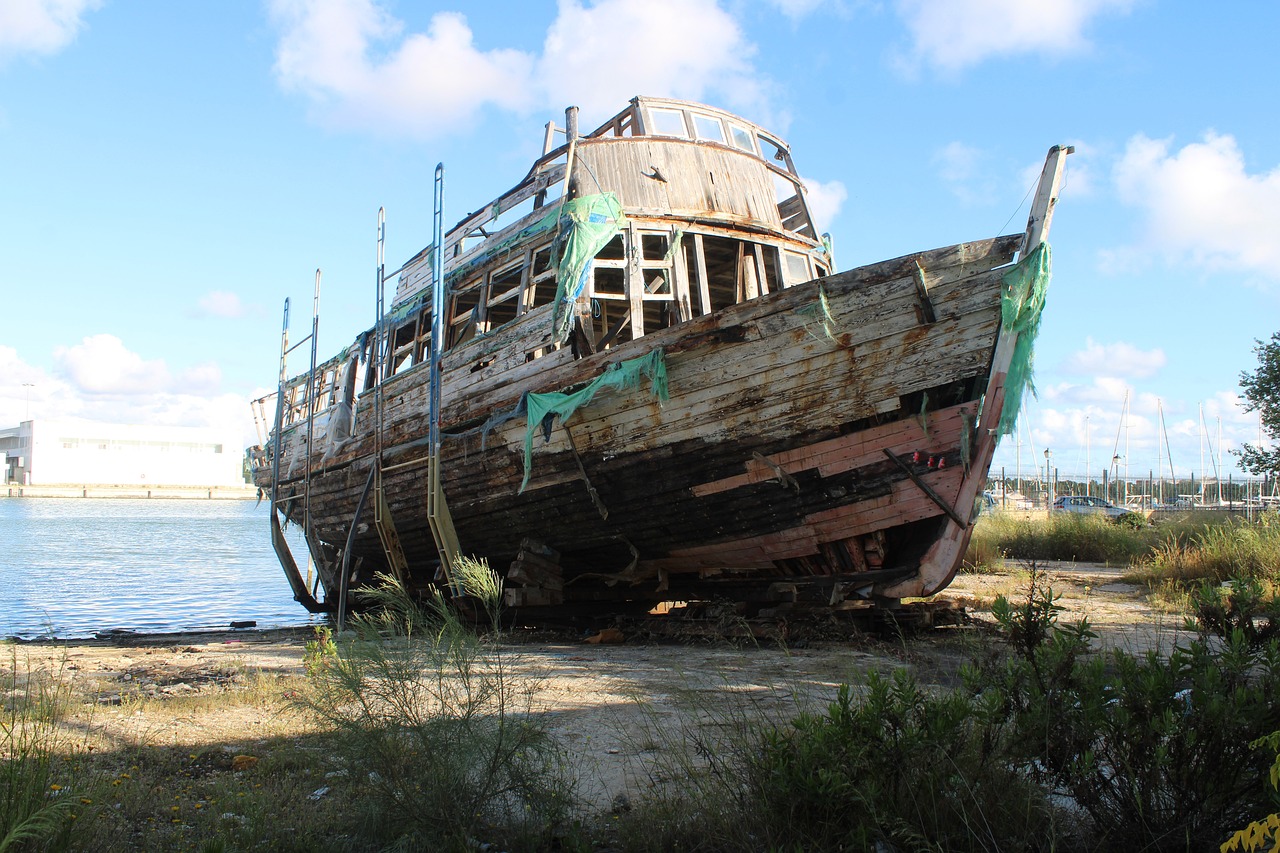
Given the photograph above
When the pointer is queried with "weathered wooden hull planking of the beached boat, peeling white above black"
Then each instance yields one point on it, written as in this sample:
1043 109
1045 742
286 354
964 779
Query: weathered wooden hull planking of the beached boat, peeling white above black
771 445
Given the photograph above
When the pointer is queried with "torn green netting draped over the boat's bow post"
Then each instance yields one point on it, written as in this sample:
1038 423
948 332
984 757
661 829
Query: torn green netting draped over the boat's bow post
1022 302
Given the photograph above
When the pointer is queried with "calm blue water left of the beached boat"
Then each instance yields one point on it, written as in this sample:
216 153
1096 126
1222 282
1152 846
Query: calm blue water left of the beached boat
75 567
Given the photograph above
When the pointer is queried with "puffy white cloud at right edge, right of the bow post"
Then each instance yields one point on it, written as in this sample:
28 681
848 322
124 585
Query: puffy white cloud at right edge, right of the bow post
1201 206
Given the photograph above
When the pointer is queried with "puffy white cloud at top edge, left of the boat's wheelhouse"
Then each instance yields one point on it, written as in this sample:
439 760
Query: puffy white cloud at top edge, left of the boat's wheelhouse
422 84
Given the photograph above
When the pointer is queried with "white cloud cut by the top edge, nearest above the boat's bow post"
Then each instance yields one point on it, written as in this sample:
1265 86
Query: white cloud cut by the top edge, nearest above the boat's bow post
957 34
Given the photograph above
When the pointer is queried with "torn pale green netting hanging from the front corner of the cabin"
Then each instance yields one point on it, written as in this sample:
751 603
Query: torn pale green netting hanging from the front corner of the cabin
587 226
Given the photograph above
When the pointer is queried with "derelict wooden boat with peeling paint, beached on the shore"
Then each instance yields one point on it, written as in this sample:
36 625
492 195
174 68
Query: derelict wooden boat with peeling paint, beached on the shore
636 377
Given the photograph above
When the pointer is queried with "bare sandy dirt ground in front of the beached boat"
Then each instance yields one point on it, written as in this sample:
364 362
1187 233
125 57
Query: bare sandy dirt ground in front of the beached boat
621 709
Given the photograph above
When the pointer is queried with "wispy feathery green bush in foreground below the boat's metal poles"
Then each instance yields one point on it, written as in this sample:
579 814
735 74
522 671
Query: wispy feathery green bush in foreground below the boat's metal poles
441 741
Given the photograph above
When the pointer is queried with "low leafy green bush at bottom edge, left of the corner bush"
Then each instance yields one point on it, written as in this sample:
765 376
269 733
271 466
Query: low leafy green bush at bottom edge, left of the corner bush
898 765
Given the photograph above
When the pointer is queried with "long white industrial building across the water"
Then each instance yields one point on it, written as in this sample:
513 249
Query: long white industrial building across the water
80 453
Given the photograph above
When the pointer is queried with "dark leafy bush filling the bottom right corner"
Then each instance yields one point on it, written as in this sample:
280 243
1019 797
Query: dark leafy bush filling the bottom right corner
1153 749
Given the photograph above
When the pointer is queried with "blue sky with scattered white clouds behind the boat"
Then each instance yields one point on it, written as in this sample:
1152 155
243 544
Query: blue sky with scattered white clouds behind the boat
171 172
